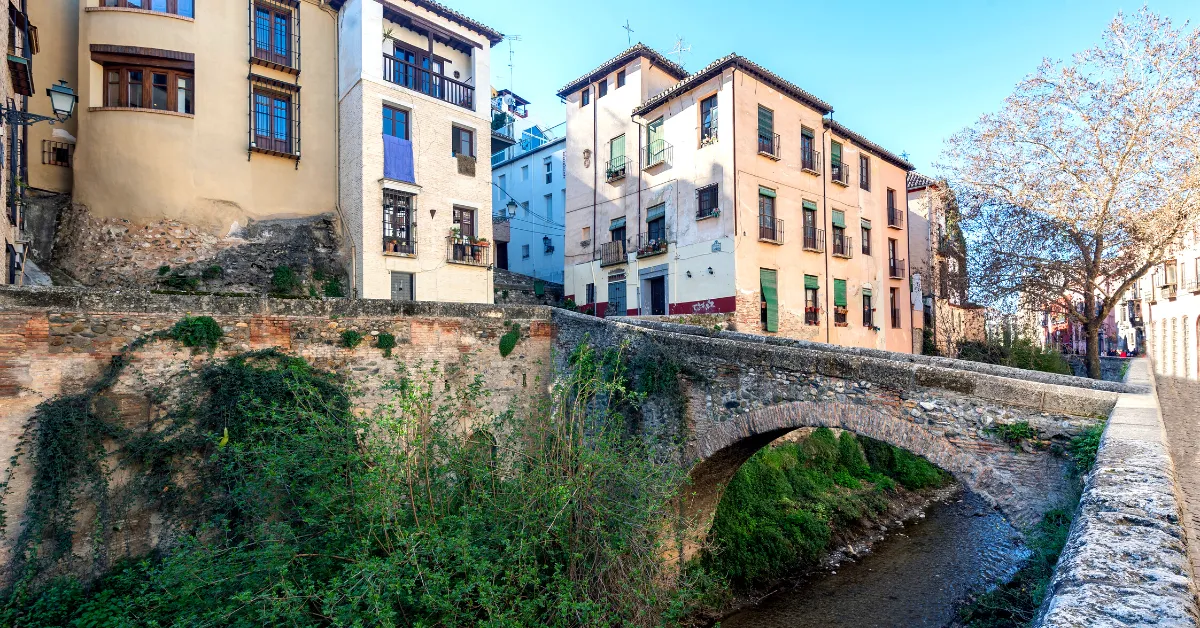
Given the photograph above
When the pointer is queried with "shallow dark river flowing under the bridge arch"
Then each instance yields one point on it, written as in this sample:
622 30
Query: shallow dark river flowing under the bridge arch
916 577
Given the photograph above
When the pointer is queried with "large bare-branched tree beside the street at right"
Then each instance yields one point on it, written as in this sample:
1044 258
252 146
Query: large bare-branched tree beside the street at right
1089 175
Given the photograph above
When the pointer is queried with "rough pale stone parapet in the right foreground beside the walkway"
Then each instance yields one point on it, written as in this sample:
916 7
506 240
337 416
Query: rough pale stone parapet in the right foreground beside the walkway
1126 561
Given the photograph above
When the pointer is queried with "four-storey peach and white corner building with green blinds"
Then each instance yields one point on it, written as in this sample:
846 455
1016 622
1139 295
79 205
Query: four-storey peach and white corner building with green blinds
734 193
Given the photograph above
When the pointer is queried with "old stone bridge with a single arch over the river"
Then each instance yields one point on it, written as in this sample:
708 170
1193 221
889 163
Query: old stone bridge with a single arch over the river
743 392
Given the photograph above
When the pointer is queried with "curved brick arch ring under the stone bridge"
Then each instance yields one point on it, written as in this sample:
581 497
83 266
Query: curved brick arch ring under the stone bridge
723 450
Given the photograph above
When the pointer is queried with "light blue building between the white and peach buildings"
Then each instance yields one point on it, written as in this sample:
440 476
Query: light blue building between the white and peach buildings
529 204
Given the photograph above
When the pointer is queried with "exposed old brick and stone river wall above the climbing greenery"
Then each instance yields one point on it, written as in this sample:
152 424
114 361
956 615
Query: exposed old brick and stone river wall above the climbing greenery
58 342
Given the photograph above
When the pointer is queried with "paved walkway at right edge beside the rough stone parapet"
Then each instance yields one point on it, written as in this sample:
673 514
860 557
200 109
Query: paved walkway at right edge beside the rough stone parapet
1180 400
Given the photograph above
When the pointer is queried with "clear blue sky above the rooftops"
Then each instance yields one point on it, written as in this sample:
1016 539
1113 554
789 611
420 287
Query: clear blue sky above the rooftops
907 75
